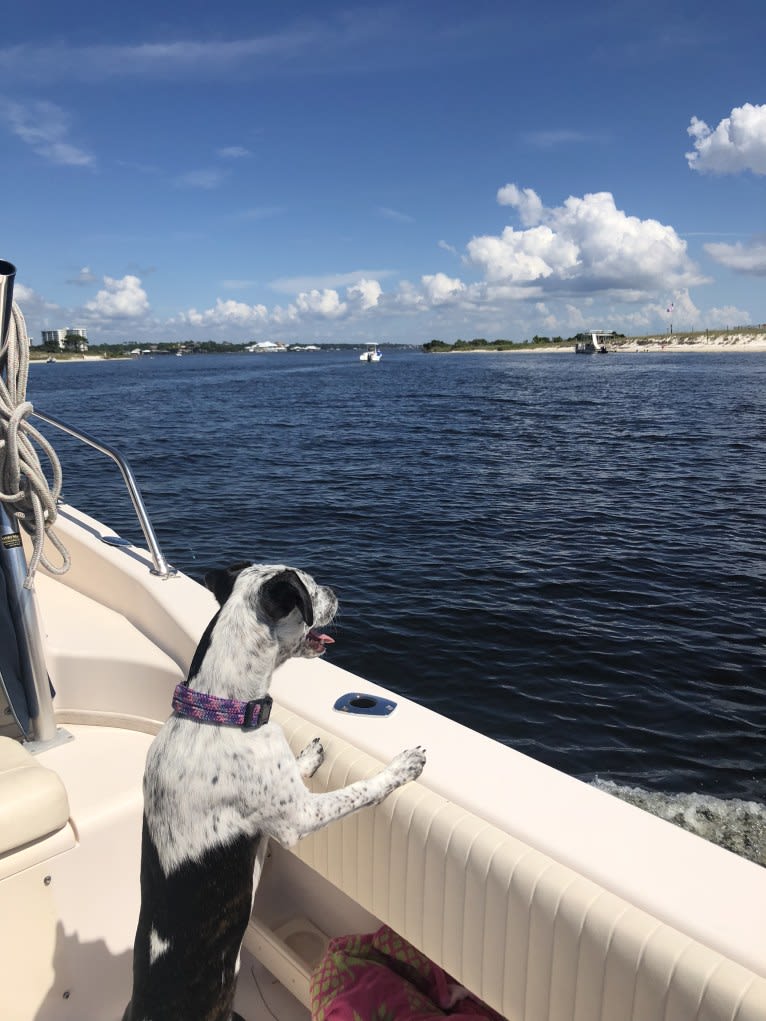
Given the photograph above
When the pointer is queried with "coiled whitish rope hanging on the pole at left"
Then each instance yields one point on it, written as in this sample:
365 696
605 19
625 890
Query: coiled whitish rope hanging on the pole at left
24 488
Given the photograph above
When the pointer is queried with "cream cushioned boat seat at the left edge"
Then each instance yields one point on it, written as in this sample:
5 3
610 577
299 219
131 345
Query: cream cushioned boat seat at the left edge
33 799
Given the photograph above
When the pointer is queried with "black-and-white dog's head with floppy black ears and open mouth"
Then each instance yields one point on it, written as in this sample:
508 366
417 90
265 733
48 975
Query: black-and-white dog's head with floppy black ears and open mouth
290 603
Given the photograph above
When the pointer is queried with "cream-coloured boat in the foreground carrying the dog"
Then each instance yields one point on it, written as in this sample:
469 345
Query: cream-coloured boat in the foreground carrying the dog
543 897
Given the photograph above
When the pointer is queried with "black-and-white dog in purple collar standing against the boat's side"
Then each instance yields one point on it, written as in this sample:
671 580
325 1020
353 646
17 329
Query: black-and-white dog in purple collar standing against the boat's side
221 781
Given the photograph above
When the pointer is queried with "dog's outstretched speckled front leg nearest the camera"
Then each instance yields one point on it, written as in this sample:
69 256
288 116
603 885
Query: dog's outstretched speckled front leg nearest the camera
312 812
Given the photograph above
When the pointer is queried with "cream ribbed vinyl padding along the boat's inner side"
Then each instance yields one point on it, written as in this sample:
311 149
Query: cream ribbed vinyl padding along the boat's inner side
532 938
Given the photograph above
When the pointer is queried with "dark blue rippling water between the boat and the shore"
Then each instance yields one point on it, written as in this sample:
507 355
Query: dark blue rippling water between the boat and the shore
566 554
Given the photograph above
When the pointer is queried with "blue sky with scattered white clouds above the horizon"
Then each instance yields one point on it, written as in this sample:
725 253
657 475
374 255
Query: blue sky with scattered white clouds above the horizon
390 172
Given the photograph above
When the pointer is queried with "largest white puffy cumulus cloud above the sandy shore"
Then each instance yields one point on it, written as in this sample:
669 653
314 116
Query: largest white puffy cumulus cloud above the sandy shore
586 246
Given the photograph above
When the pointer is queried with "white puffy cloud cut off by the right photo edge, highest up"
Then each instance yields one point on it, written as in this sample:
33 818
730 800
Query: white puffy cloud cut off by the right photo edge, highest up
739 143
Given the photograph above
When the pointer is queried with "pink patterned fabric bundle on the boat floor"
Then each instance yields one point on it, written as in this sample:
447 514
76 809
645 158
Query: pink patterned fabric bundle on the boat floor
382 978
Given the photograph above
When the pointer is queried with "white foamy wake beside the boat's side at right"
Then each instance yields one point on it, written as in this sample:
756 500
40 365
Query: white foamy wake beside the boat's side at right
737 825
